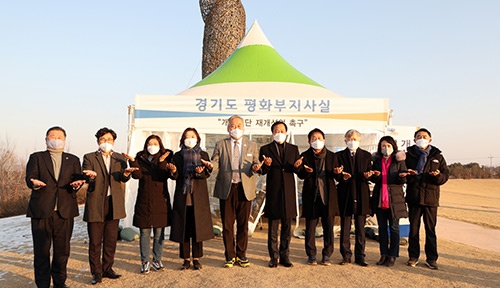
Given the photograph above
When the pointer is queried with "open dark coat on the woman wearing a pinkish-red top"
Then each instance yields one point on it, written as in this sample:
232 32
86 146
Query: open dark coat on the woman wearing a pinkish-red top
395 186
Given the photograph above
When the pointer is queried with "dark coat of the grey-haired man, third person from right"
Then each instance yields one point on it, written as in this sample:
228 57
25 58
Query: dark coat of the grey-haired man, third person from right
356 184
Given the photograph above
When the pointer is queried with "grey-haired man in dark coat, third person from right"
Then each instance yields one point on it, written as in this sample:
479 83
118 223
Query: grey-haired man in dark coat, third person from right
354 196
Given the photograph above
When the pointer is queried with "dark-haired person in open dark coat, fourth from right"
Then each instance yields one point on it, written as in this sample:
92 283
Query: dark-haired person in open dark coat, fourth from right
319 194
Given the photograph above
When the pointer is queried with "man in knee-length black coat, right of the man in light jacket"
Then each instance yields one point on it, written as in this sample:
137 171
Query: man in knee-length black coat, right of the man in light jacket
279 162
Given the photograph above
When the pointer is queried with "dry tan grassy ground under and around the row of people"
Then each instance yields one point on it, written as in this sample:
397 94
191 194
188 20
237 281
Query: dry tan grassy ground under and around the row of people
460 265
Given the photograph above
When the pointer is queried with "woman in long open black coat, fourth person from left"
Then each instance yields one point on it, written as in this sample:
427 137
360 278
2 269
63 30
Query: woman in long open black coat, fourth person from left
191 218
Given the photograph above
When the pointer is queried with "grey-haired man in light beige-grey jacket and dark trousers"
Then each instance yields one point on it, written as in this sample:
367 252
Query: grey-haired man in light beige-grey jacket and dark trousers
237 160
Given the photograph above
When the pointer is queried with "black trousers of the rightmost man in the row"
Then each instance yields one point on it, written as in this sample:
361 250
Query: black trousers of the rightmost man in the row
429 214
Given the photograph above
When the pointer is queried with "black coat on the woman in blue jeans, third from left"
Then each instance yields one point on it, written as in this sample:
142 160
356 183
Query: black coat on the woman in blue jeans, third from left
152 206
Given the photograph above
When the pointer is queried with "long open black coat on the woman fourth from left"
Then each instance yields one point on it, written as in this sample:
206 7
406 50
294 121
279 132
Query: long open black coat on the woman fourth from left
201 204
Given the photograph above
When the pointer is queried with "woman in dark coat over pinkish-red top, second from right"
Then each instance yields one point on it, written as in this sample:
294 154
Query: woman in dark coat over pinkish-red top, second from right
388 197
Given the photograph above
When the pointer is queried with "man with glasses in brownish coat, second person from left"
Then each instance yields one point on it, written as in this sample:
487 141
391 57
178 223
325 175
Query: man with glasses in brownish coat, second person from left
105 203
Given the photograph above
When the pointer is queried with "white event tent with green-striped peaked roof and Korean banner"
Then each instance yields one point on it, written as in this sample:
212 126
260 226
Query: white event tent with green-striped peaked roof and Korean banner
259 85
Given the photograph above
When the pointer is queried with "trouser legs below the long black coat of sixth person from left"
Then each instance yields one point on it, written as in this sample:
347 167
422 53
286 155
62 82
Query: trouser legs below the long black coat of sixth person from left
285 236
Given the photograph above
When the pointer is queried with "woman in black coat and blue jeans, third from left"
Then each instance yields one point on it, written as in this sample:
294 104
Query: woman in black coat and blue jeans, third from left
152 205
